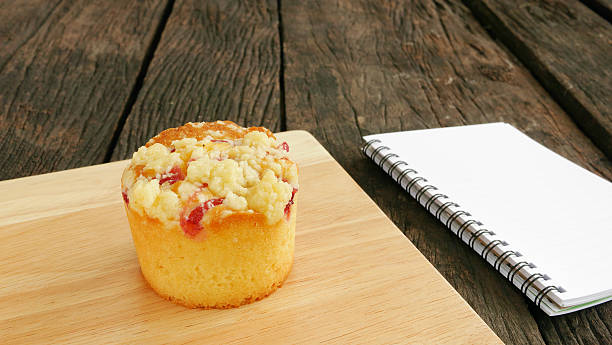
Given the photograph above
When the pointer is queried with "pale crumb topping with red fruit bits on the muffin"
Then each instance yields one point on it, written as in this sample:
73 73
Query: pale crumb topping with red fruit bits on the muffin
183 172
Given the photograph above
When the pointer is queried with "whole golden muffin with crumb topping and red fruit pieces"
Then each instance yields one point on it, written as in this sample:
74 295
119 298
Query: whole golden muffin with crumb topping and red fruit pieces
212 209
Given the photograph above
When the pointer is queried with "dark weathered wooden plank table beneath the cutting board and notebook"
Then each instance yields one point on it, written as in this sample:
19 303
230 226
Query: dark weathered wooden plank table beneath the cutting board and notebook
85 82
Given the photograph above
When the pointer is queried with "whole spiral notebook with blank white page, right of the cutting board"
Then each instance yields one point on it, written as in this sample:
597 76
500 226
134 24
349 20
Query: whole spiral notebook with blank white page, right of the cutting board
542 221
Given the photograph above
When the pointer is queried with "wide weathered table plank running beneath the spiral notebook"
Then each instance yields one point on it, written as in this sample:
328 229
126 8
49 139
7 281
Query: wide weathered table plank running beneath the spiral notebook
357 68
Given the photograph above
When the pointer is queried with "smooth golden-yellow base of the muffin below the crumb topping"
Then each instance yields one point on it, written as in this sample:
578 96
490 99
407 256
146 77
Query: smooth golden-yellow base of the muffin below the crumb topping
234 261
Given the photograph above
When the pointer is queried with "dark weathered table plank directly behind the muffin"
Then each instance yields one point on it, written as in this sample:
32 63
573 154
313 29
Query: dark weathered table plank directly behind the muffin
216 60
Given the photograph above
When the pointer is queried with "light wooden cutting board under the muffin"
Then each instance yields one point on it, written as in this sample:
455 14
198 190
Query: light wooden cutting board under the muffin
69 271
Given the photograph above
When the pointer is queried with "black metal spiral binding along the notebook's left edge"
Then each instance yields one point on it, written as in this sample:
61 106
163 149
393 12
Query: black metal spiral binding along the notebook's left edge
459 215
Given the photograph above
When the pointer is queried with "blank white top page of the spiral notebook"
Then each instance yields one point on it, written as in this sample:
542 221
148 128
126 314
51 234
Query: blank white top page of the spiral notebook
557 214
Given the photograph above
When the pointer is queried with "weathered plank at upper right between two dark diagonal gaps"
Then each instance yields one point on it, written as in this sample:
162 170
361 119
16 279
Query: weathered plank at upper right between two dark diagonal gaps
568 48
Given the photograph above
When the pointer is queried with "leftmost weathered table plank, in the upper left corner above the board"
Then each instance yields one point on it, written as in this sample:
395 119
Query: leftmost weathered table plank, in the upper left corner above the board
66 71
